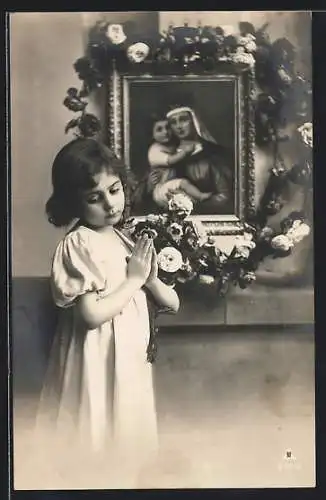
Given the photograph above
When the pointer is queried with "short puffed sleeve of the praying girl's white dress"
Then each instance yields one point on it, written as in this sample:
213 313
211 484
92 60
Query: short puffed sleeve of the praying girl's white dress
75 270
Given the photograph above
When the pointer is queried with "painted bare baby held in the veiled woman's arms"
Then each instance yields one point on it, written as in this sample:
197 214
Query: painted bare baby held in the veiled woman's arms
162 155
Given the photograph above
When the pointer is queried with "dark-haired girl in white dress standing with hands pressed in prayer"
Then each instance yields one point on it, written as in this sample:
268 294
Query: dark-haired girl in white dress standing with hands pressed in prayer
98 392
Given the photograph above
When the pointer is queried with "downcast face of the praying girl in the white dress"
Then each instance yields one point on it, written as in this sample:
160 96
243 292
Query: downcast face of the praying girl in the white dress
103 205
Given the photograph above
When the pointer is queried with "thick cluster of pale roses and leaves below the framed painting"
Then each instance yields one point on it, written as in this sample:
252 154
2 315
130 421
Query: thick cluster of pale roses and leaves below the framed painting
186 254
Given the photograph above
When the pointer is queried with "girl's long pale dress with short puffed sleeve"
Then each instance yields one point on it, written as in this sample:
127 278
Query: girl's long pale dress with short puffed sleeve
98 394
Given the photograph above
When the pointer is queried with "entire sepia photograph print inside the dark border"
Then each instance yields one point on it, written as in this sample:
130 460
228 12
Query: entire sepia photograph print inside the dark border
162 289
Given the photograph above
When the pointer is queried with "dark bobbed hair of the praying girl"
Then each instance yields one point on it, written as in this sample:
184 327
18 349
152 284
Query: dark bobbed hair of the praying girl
74 169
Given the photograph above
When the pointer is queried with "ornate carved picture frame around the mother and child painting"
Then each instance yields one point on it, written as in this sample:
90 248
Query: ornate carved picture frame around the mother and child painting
243 78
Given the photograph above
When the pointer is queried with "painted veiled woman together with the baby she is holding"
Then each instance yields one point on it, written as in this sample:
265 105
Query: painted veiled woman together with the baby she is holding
183 156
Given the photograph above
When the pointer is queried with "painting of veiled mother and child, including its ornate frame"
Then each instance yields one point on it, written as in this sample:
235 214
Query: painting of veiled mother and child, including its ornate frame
192 134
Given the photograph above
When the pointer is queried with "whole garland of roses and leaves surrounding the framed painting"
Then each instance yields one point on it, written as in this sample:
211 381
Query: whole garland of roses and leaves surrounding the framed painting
185 253
